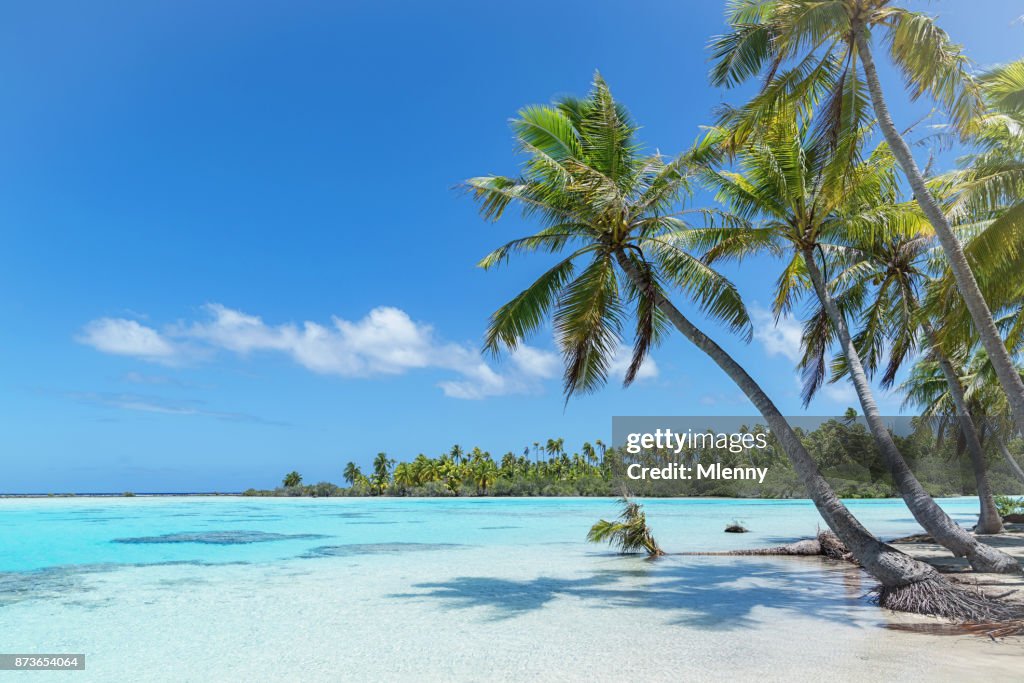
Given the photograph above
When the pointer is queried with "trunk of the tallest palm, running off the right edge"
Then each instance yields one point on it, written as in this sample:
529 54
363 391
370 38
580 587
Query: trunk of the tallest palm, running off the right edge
976 306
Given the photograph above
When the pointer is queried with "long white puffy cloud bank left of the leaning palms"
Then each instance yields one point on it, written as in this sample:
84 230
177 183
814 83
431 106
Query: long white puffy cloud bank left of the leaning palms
387 341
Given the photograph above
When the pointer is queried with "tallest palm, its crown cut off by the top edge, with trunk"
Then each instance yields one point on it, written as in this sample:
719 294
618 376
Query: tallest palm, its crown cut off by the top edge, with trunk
814 52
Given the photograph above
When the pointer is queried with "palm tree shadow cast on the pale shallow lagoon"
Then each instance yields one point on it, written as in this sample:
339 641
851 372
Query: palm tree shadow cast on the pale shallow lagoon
708 593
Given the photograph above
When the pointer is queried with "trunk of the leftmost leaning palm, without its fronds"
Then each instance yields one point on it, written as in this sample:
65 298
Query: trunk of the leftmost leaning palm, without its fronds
891 568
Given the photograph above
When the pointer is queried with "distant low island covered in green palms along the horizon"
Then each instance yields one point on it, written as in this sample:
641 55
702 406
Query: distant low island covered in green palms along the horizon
843 449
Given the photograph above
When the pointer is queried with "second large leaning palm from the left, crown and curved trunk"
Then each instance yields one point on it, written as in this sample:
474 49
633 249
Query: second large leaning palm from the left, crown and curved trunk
812 203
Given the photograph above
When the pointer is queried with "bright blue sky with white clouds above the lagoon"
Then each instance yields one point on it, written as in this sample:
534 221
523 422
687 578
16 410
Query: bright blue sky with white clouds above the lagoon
232 248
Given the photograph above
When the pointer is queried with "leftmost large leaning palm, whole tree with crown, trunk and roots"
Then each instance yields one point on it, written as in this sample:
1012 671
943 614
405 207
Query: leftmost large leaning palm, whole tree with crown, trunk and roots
586 182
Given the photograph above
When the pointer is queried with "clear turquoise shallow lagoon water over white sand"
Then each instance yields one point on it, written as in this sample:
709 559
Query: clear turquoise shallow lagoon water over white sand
442 589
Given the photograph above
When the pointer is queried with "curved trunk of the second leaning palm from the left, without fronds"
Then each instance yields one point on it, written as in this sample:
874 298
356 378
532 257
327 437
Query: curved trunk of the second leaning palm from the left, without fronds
922 505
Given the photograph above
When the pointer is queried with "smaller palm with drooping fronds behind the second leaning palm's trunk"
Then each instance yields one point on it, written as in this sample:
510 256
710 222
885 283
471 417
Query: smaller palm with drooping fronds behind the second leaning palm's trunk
882 288
